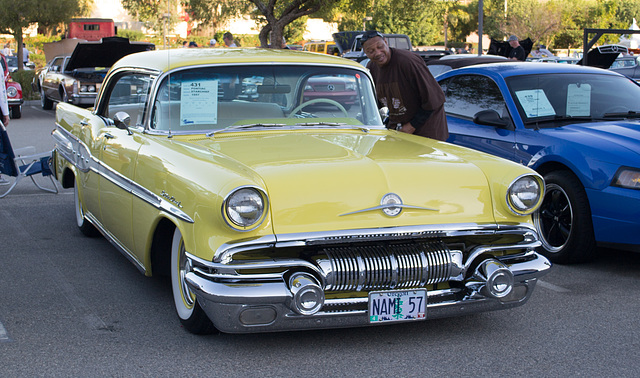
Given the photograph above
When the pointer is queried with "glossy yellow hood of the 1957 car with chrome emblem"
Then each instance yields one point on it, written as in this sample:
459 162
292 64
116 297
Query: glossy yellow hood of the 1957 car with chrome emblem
328 181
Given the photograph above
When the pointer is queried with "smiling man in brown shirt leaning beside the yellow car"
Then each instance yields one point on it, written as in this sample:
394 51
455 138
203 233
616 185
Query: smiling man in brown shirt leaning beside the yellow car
405 86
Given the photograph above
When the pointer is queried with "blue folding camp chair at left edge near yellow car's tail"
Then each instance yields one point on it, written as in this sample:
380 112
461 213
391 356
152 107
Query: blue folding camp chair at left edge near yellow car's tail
22 163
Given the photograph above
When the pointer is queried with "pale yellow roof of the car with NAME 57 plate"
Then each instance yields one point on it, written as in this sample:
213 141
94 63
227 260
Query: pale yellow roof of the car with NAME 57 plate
166 60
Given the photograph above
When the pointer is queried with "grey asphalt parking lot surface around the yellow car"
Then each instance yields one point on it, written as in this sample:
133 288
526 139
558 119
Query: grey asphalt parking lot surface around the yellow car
73 306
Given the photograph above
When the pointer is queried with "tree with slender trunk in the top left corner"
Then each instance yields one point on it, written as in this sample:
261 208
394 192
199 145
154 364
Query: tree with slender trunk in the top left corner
16 16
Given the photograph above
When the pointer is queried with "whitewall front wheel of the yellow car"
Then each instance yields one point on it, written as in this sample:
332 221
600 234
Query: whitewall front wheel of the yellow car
191 315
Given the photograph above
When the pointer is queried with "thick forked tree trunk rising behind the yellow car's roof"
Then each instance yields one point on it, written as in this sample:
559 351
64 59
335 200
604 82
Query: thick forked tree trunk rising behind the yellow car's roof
279 13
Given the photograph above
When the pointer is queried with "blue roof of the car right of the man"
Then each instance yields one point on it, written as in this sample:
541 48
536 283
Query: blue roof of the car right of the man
527 68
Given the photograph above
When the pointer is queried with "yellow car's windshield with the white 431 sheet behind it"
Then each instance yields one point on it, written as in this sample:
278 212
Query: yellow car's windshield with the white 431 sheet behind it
214 98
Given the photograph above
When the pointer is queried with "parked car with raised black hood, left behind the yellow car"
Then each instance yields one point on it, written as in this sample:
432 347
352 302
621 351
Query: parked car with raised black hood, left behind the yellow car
77 78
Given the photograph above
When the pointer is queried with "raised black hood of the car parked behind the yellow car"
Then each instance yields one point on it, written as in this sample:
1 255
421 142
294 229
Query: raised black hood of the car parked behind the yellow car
104 53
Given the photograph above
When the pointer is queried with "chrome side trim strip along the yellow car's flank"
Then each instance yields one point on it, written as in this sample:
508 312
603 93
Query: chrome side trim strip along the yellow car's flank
78 154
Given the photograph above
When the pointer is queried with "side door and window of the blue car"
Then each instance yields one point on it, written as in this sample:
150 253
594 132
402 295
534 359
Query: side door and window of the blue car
466 96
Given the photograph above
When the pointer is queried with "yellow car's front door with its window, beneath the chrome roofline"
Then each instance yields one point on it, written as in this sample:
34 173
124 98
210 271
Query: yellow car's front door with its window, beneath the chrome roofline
126 92
